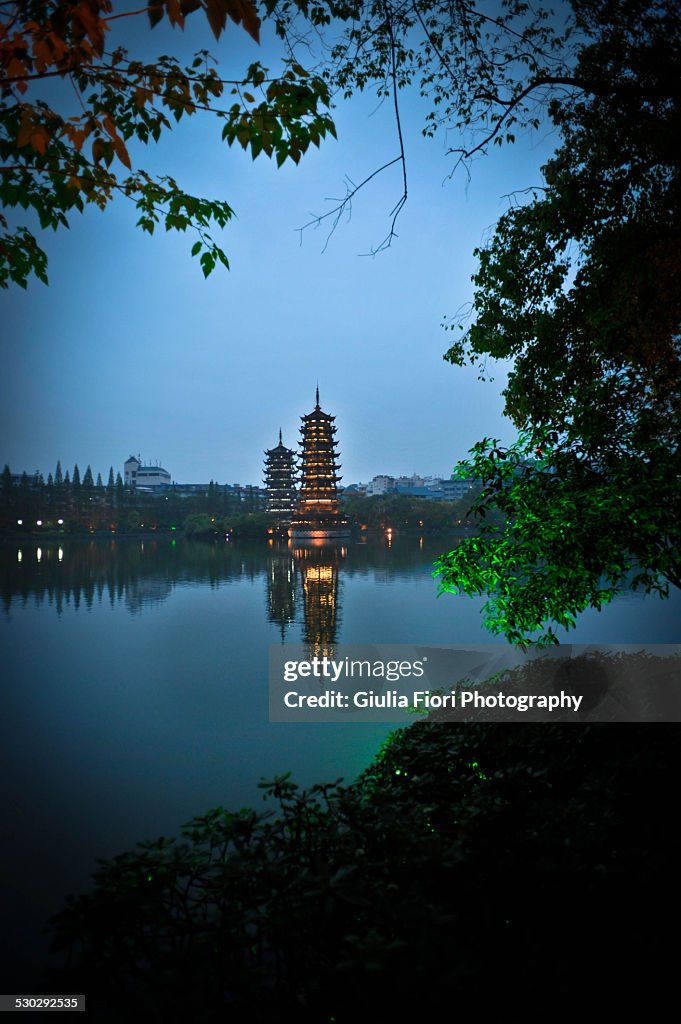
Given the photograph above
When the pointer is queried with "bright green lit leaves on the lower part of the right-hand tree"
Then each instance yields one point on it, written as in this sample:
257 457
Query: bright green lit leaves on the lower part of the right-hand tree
558 537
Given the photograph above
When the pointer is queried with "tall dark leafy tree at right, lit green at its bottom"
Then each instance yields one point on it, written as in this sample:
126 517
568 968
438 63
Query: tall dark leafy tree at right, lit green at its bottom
581 289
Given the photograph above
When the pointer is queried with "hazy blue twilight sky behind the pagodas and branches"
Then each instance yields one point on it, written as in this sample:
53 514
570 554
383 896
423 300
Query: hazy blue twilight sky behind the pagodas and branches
131 352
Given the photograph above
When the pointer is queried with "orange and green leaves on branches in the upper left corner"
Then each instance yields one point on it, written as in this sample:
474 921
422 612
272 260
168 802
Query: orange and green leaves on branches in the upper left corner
56 160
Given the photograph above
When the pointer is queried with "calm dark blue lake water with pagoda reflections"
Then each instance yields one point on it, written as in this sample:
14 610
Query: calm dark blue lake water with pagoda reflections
135 688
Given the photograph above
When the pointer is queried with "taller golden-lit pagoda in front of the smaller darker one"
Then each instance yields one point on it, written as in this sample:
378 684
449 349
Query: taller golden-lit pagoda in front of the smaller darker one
318 516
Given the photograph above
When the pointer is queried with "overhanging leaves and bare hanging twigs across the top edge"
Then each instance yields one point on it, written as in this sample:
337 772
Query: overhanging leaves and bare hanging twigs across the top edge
483 74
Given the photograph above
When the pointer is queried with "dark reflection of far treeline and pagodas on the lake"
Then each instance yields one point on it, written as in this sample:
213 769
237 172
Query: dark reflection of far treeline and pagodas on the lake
303 583
